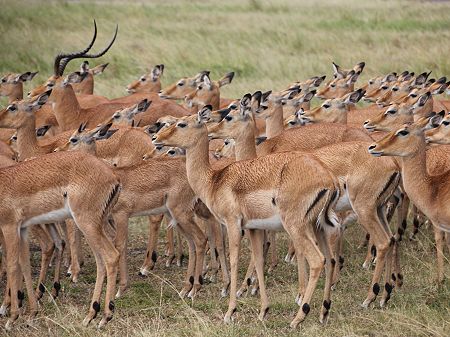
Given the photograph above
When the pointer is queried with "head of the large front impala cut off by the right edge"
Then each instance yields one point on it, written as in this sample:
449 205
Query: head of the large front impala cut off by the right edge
405 141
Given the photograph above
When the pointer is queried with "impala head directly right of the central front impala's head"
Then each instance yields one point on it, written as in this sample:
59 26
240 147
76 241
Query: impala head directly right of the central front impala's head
237 122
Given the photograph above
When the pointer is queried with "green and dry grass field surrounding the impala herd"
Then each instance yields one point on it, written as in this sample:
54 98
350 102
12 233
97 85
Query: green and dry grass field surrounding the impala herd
268 44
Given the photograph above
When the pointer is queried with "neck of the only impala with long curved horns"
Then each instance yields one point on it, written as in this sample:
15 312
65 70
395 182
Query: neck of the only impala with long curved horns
65 106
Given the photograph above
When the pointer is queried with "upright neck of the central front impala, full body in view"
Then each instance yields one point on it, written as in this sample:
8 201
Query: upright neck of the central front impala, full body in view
199 171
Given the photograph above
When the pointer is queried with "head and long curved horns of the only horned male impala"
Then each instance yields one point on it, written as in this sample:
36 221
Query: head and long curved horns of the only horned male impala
61 60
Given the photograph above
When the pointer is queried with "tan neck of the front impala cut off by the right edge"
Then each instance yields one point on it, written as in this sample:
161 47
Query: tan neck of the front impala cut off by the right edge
416 179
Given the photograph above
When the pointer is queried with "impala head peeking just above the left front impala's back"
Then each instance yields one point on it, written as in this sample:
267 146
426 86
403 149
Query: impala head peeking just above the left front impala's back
84 140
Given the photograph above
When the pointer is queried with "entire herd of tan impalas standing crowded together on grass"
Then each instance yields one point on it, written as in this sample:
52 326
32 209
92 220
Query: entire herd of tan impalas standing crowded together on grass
215 170
